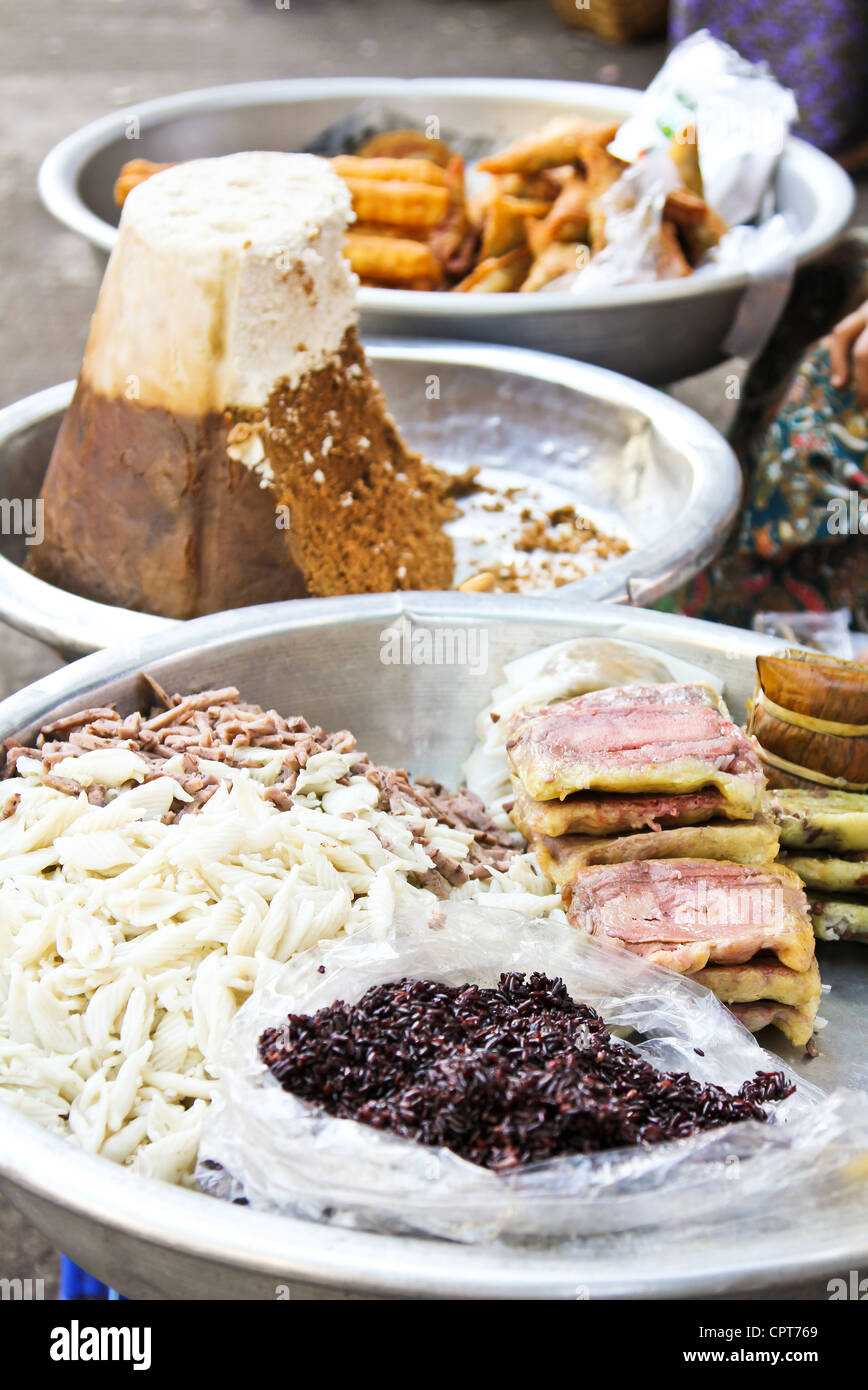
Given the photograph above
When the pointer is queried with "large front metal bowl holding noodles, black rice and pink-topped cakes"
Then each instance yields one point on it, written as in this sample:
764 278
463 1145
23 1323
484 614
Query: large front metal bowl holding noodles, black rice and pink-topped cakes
154 1241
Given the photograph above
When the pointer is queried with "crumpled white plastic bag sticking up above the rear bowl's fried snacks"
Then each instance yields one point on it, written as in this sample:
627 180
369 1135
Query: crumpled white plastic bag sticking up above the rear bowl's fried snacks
741 113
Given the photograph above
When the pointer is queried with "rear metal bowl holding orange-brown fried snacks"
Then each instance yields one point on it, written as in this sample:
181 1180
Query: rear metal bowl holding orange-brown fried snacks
654 333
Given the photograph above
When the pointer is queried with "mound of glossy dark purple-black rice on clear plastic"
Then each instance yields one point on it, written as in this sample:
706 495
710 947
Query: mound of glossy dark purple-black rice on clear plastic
504 1078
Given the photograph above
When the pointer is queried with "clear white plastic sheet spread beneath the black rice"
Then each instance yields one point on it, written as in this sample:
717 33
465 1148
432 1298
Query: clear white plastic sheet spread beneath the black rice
278 1153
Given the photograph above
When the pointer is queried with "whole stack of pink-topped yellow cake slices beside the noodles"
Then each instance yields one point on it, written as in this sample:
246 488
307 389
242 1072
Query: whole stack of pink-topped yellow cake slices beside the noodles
645 806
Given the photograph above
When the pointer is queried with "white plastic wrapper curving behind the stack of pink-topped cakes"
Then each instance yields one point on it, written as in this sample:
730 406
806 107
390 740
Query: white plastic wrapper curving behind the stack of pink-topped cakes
556 673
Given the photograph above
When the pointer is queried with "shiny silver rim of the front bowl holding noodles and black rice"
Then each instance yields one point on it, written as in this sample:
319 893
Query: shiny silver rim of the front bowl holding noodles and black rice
156 1216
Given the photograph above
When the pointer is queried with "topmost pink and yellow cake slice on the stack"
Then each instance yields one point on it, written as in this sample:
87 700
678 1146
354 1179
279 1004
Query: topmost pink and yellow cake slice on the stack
642 739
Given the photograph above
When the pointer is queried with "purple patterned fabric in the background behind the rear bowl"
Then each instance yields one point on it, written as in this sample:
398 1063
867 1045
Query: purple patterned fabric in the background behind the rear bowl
816 48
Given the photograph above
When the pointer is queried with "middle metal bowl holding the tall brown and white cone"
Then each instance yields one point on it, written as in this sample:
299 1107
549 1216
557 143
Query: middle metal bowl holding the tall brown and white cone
641 465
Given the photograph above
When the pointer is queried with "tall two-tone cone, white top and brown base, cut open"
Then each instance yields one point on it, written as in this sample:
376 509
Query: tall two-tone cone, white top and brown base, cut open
227 444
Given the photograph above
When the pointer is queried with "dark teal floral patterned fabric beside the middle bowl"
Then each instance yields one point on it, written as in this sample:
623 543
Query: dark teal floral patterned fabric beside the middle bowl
803 447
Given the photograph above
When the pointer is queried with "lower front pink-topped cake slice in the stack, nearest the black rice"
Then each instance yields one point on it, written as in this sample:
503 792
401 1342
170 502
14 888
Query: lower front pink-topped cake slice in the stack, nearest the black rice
686 914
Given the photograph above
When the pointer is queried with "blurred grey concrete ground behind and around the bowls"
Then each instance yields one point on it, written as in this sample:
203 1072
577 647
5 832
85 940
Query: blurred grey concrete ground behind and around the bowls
69 62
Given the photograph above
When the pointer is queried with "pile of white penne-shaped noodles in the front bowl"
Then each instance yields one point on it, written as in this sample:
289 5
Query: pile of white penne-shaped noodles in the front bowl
129 945
